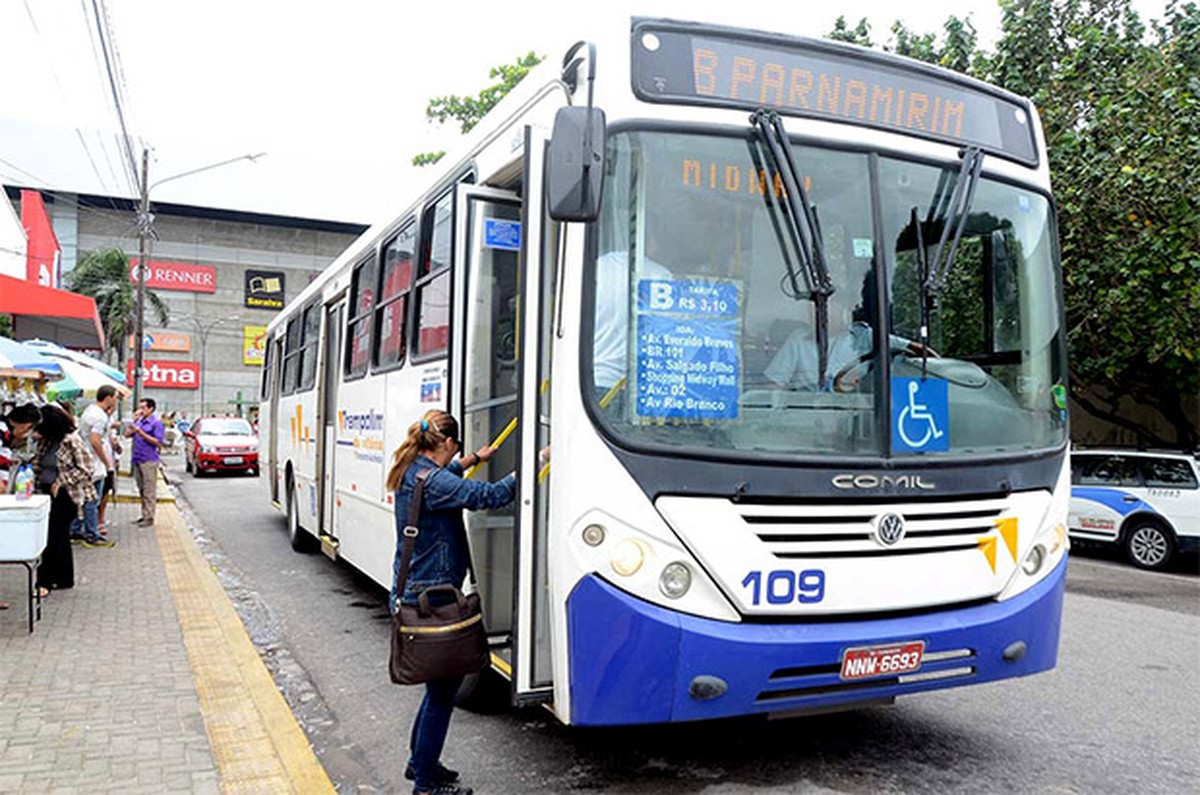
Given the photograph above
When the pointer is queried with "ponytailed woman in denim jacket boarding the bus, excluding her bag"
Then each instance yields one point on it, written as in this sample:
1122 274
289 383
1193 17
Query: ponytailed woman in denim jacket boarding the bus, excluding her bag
440 558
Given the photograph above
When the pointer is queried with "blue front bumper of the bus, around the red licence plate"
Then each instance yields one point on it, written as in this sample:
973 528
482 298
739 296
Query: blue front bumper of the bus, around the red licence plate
635 662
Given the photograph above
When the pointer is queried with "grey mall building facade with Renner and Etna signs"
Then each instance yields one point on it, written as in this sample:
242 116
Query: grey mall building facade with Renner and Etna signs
223 276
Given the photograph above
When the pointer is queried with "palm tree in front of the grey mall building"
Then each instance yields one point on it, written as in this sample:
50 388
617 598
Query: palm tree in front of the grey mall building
105 277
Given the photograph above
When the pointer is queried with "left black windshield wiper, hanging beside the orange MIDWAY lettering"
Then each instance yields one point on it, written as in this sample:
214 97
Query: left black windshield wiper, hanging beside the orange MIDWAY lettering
806 230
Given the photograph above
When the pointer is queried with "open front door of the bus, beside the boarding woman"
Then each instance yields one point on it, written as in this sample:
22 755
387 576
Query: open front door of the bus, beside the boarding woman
495 390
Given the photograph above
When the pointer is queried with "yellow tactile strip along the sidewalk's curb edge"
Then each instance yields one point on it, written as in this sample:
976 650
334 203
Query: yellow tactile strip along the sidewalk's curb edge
256 742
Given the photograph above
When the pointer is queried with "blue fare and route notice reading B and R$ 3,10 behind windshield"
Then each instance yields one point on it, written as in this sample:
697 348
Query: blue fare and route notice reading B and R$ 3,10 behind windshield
689 352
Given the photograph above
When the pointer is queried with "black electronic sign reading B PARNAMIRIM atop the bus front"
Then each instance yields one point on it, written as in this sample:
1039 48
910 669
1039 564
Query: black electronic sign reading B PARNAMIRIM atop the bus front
815 80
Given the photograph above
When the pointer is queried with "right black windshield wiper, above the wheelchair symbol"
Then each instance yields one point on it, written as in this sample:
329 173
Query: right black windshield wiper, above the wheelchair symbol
952 213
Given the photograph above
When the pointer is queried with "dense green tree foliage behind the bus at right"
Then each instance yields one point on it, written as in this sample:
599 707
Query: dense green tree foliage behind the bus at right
1120 104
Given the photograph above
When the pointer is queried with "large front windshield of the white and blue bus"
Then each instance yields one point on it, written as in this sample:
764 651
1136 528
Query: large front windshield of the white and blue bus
705 327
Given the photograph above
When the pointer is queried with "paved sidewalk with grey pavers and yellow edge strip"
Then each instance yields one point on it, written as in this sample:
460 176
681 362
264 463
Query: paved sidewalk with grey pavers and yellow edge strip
142 678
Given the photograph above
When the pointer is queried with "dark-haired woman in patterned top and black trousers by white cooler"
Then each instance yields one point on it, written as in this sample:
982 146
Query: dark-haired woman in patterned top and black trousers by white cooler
64 470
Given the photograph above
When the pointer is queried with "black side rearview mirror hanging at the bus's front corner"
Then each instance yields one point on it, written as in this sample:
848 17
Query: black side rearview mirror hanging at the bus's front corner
575 165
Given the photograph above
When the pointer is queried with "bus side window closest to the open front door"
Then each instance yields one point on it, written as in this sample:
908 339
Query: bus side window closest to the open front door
433 292
